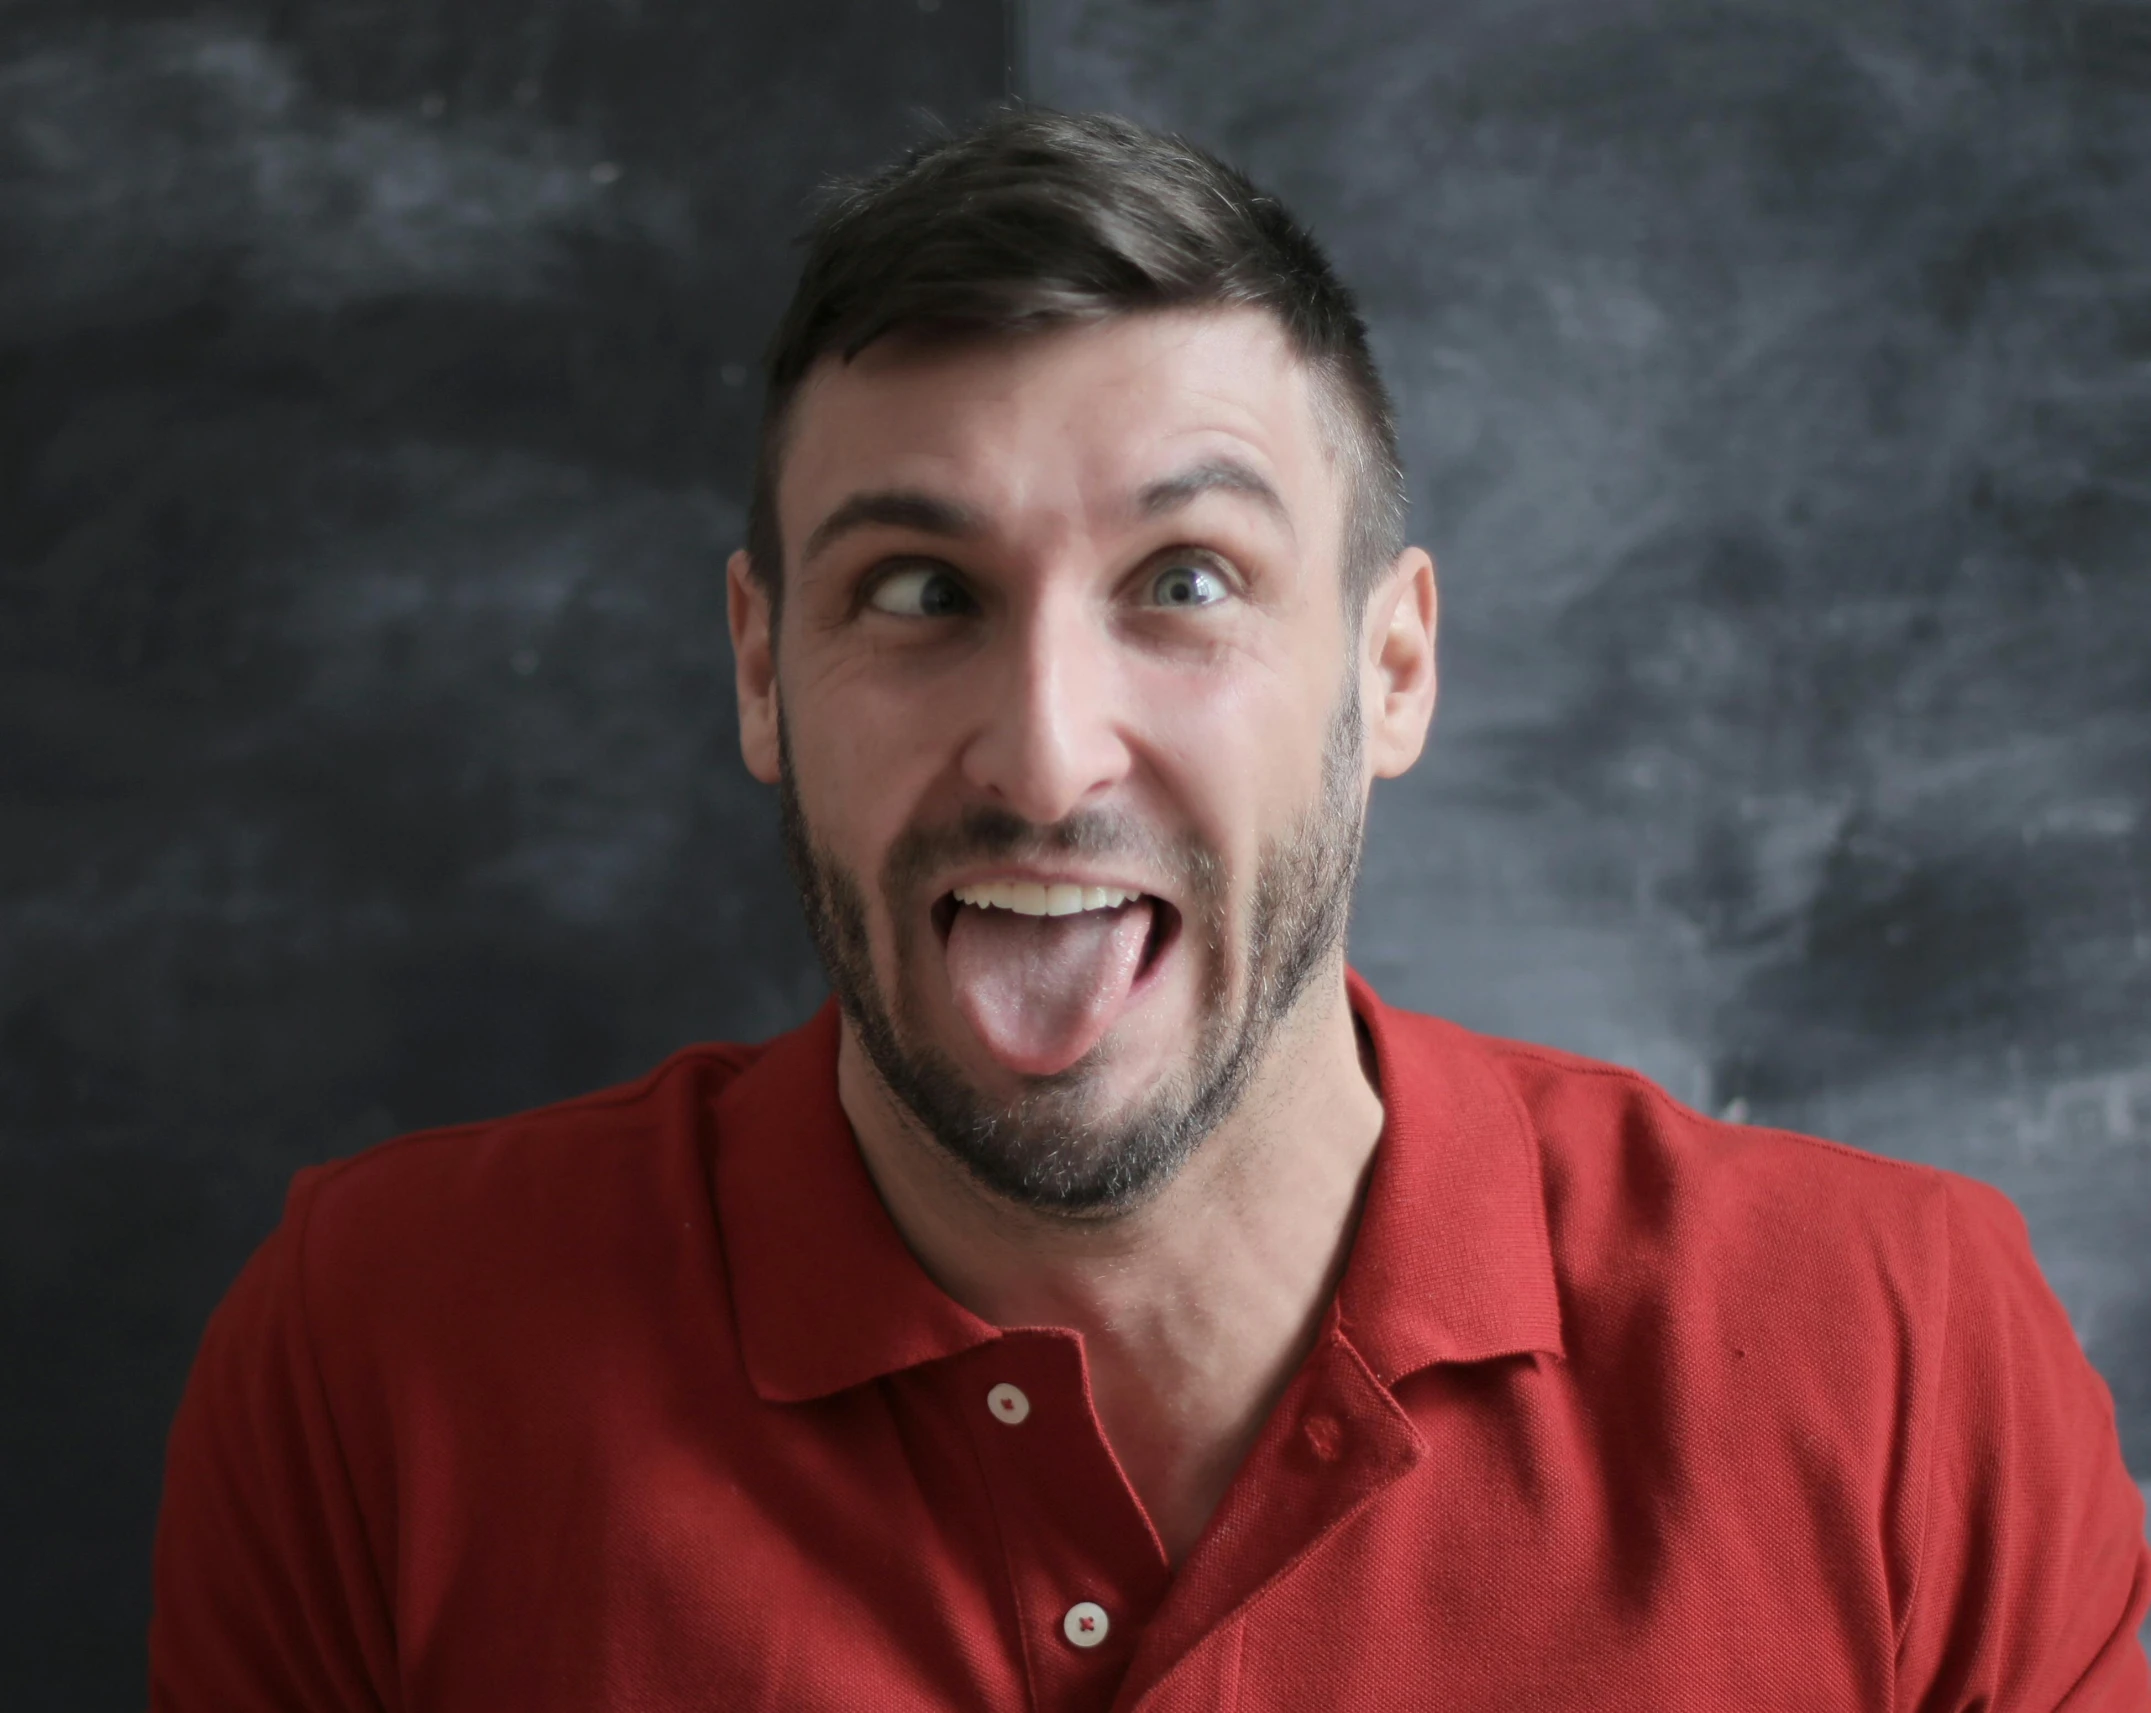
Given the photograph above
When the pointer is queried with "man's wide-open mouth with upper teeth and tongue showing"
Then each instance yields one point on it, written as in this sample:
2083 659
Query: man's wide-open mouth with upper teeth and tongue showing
1042 965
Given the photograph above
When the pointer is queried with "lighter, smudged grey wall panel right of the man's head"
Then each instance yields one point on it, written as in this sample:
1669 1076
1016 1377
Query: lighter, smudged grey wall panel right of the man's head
1778 399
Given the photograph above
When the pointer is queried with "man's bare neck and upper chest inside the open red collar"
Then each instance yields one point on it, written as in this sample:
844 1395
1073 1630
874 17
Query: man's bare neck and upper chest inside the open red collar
1197 1307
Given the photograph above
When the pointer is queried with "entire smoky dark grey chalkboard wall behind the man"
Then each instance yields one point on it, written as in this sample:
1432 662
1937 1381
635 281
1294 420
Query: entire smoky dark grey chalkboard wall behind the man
375 408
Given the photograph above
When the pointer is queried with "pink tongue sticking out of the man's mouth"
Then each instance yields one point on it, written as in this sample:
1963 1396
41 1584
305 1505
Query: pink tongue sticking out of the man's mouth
1042 991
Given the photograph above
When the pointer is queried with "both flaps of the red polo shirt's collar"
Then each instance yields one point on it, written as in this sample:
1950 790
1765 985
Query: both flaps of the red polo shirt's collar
1451 1262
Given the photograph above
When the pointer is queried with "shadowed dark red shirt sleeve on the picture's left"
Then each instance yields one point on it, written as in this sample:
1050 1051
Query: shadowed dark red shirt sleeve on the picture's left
266 1587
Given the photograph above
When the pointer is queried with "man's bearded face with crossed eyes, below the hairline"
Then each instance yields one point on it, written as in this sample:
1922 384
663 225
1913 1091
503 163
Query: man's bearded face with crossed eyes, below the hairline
1068 731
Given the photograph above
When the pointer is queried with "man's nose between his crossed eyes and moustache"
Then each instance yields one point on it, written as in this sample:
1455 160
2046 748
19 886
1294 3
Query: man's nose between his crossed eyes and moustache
1051 733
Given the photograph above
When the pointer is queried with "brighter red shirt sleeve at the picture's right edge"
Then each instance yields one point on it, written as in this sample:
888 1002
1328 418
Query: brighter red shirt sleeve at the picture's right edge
2034 1572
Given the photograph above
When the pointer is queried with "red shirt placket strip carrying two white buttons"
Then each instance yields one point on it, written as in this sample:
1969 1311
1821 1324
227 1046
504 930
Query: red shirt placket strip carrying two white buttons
1085 1566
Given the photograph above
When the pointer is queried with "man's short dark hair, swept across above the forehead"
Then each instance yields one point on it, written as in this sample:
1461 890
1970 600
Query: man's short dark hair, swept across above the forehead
1040 218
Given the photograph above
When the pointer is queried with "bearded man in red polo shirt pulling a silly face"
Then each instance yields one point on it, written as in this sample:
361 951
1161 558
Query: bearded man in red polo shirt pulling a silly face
1109 1301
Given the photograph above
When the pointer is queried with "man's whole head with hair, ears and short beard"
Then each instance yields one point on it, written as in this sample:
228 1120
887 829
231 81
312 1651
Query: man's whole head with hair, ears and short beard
1072 627
